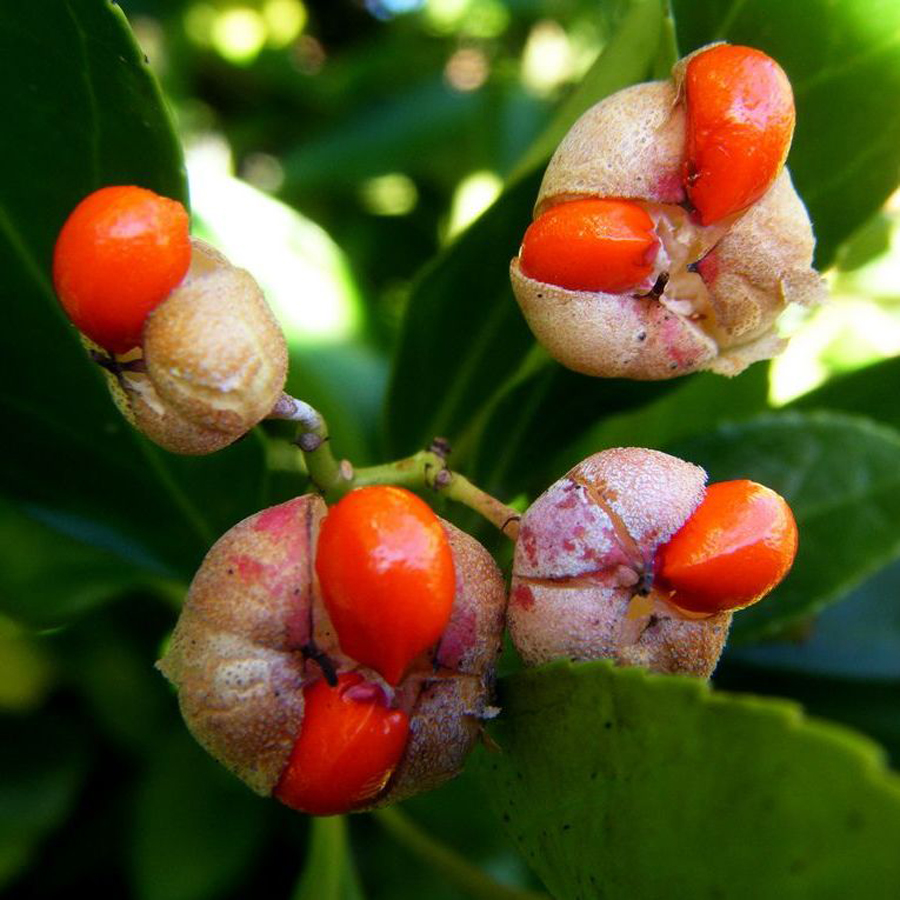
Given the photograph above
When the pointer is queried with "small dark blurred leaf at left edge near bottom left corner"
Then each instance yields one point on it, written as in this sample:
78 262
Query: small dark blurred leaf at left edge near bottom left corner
43 764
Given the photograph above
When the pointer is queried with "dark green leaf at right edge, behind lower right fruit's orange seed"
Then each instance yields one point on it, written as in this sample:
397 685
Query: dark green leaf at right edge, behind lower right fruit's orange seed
840 476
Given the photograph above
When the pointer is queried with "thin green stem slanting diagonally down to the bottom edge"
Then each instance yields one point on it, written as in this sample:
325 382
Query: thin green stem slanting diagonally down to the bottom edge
454 867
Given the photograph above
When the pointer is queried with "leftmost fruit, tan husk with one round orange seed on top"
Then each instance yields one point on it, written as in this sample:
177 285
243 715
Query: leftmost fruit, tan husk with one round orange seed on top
193 355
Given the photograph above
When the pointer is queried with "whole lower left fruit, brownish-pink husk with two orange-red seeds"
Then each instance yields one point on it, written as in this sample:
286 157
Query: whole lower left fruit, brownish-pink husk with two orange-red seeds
340 658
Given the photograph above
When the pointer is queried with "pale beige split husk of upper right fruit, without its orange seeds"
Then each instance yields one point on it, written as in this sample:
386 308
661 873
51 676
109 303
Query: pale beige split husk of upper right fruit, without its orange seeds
717 286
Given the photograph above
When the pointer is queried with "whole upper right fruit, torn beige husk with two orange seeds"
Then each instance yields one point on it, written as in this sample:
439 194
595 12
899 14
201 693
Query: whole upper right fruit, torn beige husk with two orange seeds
668 237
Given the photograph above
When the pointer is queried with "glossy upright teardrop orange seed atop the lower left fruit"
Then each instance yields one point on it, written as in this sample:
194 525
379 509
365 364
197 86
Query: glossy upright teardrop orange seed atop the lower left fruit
386 572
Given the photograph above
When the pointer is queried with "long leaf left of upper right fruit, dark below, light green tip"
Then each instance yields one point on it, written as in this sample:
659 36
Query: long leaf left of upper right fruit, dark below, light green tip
464 337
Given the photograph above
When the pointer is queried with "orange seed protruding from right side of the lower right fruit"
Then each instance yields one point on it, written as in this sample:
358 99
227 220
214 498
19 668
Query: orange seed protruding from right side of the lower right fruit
736 547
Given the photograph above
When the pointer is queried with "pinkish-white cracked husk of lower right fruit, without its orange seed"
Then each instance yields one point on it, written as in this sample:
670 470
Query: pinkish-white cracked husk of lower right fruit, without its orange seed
582 576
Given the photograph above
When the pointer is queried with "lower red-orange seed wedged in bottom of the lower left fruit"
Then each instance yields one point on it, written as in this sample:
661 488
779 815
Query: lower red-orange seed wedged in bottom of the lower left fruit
347 748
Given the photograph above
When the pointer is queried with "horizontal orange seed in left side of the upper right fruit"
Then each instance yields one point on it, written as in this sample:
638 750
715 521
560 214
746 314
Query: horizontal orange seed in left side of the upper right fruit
591 245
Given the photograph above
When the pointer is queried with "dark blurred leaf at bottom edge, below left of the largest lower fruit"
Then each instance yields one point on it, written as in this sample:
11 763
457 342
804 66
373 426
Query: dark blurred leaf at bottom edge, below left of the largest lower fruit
197 828
